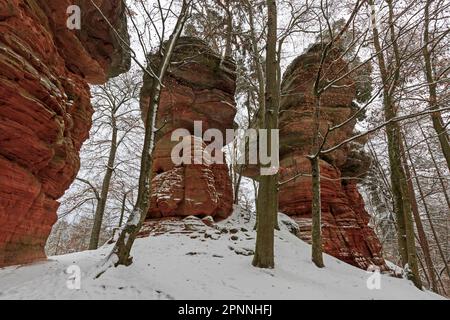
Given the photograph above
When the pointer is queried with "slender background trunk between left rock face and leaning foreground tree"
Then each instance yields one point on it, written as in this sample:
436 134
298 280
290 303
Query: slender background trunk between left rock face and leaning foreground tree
101 204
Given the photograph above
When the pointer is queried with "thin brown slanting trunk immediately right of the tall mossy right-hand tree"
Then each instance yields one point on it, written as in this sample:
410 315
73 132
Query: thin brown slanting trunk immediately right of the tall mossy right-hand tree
423 241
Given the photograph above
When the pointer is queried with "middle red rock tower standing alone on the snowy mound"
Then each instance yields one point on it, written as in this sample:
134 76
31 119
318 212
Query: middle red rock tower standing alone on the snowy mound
199 86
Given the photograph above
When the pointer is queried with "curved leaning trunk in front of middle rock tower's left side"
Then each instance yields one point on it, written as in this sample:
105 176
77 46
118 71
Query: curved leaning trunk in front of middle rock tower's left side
122 249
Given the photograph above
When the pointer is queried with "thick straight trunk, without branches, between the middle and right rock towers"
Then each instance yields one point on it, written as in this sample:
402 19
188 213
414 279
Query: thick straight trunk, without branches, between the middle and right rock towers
267 202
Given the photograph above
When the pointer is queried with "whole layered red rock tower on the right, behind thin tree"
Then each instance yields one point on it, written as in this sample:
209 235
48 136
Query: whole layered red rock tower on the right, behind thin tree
345 230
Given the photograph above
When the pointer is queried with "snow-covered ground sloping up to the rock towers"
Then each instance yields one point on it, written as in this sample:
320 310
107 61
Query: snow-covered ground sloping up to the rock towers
207 263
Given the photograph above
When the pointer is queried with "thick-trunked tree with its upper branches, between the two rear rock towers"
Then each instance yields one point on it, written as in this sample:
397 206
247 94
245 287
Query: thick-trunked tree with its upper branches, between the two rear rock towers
268 93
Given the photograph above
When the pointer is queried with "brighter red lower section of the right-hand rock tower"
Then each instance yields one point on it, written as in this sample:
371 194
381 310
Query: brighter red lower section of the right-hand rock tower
345 231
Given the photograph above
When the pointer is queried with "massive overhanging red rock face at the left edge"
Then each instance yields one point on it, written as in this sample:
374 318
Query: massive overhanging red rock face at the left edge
45 110
